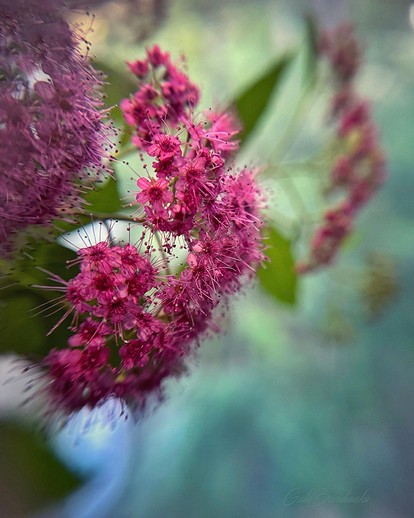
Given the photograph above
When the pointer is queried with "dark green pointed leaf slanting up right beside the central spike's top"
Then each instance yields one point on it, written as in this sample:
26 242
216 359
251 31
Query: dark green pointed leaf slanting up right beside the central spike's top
252 103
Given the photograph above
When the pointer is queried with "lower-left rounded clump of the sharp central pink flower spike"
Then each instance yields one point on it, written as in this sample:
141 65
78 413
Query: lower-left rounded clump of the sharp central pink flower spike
114 314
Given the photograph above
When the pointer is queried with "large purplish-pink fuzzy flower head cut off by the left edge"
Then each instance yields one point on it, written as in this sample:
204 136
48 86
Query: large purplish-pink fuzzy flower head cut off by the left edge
51 127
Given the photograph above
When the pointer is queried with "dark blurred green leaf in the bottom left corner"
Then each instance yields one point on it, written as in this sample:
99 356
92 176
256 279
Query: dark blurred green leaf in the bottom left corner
30 475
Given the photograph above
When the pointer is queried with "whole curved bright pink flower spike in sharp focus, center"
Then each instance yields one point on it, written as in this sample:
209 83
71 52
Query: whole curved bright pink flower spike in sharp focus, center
138 312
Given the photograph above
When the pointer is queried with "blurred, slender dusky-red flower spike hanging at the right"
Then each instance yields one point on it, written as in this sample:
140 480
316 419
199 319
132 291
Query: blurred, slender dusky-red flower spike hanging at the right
360 168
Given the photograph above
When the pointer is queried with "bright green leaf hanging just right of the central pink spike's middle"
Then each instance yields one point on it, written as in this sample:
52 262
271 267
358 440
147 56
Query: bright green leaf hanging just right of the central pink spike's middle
278 276
